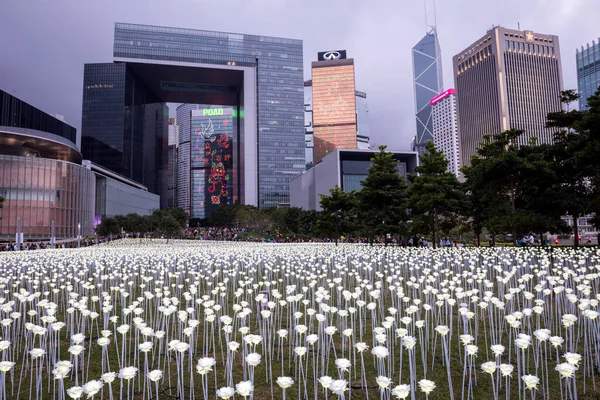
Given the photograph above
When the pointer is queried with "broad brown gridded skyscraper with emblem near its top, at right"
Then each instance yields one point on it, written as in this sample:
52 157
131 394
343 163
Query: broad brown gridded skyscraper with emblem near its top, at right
508 79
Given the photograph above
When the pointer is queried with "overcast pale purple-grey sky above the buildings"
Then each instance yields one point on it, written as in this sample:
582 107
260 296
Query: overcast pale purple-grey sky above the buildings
44 44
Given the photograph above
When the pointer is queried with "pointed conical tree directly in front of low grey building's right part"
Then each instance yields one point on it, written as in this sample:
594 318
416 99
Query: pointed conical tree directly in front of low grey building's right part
382 202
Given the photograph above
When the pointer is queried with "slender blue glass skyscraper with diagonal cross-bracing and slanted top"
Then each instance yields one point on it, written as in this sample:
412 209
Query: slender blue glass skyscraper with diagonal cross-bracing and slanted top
427 79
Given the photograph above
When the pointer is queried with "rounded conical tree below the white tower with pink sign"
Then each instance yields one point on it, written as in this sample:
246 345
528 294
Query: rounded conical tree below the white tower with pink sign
436 198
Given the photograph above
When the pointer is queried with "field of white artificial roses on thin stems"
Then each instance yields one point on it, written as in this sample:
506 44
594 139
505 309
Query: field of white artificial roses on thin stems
209 320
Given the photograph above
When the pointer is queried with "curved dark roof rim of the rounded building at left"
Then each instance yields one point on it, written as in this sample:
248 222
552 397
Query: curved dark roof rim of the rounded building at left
33 143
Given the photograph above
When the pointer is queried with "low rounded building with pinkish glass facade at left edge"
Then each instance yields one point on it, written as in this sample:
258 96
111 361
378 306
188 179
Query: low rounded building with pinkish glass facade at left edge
41 177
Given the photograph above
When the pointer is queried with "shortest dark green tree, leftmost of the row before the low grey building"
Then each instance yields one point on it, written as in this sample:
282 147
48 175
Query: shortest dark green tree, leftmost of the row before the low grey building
337 217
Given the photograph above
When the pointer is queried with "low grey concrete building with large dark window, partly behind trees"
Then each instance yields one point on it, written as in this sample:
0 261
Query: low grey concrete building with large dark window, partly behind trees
346 168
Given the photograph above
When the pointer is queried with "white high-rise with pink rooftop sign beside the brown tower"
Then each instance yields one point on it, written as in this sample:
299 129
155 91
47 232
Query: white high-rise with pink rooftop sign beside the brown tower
445 129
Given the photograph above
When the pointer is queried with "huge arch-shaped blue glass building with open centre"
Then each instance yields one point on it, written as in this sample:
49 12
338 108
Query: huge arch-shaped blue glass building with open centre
260 78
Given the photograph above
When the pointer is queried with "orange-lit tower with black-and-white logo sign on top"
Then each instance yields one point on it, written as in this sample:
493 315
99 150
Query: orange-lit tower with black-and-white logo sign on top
334 103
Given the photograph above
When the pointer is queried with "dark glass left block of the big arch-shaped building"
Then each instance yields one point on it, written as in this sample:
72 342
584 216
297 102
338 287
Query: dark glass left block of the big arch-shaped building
124 124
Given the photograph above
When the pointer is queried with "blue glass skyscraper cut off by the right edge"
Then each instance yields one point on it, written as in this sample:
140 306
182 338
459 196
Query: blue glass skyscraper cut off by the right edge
588 72
